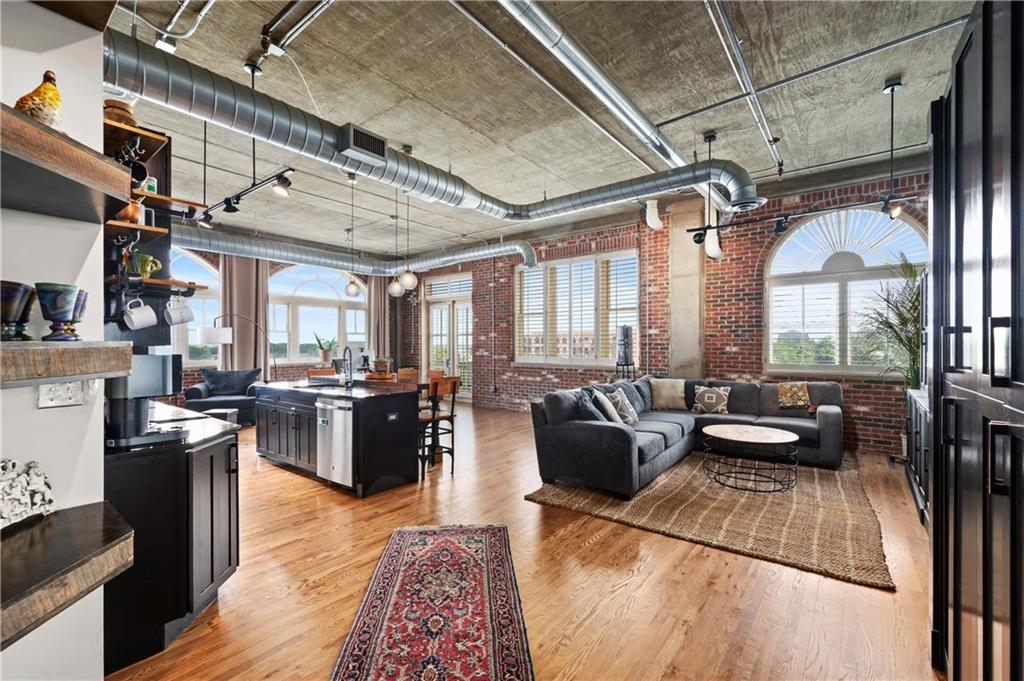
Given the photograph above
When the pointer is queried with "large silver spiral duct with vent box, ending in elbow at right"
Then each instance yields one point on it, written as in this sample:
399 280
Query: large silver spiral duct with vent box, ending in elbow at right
173 82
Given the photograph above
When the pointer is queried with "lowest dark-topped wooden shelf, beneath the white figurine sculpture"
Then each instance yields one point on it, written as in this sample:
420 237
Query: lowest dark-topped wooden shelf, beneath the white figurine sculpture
48 564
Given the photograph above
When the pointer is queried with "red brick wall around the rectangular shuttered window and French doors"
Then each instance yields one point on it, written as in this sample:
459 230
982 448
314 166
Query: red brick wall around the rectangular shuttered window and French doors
498 380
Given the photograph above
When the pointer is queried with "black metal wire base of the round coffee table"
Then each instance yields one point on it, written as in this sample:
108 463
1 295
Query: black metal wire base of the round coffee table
749 467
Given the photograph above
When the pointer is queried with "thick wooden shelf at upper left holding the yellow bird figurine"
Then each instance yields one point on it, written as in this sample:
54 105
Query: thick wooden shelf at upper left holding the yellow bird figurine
46 172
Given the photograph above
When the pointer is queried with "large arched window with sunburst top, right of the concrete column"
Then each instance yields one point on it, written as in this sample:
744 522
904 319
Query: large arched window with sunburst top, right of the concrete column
821 282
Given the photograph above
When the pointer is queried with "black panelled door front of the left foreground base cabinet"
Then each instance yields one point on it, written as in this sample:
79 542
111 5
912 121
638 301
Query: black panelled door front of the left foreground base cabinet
215 494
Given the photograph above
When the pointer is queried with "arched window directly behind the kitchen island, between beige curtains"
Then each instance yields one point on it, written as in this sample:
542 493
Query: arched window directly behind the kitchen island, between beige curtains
308 301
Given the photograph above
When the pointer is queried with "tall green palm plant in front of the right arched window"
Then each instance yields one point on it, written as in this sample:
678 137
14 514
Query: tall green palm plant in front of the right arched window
895 323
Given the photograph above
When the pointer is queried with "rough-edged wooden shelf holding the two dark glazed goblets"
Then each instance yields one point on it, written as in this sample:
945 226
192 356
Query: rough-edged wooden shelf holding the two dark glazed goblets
35 363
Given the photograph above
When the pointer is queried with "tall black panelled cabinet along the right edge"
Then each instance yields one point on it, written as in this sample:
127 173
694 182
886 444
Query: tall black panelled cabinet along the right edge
977 370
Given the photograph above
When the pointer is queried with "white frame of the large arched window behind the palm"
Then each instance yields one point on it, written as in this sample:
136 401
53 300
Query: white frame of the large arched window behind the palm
843 279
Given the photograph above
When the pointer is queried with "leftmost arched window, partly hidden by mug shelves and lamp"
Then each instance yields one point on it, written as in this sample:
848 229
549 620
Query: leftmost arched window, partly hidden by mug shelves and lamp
205 304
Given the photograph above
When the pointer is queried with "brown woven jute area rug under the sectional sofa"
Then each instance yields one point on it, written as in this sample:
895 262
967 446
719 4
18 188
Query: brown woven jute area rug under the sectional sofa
826 525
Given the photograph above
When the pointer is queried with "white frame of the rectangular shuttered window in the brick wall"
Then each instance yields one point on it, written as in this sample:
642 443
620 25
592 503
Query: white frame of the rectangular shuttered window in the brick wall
601 312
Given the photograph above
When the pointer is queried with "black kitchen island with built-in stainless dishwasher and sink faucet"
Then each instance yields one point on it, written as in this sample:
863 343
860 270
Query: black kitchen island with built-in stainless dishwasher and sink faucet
363 439
